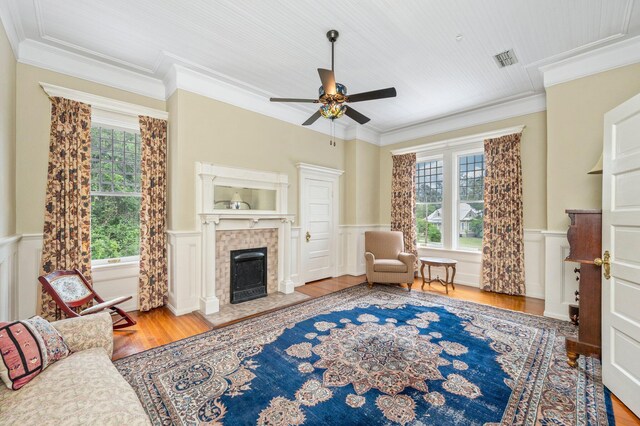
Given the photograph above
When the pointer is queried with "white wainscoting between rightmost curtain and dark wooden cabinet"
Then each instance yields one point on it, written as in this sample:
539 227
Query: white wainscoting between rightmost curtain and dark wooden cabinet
560 277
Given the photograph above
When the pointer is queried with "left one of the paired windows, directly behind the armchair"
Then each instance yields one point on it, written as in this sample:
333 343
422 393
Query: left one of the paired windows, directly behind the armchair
429 202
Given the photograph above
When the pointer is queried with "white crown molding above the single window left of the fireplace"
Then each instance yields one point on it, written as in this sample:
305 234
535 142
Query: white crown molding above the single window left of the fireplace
52 58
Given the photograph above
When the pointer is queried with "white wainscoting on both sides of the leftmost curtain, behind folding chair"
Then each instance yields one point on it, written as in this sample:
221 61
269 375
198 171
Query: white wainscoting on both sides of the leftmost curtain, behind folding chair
109 281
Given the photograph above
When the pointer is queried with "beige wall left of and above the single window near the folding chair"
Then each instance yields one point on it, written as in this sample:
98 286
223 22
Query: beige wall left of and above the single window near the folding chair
33 116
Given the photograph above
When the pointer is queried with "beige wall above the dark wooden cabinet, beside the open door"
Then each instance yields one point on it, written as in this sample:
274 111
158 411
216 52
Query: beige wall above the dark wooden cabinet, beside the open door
574 131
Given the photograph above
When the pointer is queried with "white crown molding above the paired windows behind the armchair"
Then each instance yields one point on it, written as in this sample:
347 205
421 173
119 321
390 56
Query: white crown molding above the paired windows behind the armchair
489 114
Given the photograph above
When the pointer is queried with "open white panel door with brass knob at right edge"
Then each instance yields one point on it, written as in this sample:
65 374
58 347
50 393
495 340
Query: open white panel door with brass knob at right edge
621 237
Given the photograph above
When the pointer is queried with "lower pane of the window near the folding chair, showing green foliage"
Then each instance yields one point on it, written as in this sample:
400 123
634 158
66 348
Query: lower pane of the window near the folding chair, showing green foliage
115 226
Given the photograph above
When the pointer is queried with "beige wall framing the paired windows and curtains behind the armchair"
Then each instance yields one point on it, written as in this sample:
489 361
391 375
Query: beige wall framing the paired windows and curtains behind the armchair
533 152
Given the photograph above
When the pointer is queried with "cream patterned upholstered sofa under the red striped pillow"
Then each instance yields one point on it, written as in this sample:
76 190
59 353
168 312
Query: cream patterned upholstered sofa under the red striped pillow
83 389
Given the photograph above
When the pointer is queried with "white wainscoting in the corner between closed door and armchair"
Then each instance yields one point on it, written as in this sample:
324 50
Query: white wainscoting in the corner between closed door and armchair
351 248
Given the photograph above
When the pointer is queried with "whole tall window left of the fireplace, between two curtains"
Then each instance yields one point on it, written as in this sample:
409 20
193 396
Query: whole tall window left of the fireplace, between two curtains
115 194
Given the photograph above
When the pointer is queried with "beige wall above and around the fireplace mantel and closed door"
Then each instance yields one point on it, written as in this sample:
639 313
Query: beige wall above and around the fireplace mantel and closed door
206 130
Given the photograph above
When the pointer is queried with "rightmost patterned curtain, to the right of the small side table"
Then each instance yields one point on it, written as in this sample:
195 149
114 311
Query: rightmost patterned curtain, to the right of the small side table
503 240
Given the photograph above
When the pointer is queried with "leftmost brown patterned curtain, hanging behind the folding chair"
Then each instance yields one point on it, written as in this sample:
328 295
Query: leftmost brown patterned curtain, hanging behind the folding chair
67 217
